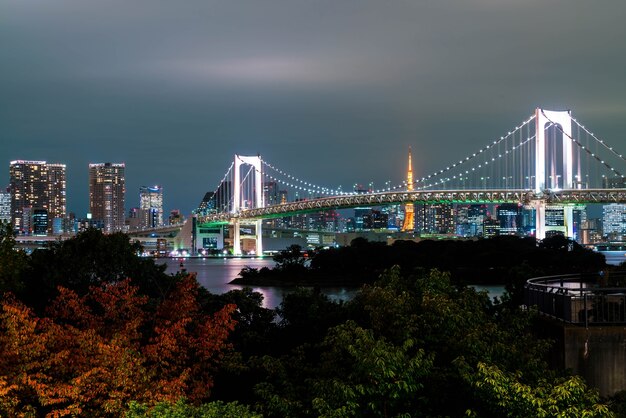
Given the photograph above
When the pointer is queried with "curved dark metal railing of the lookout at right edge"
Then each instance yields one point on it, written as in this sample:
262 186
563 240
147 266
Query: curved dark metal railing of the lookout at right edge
583 299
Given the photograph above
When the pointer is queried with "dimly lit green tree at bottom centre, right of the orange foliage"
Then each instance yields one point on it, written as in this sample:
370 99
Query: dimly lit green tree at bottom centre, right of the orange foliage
362 375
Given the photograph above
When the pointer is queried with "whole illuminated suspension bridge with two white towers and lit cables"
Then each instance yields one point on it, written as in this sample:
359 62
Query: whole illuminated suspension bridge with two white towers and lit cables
550 159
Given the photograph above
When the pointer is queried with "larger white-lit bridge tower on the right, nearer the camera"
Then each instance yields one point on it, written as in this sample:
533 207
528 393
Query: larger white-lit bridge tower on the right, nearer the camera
548 172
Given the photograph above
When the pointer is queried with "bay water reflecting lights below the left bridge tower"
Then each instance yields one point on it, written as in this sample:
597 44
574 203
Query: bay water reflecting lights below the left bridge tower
215 273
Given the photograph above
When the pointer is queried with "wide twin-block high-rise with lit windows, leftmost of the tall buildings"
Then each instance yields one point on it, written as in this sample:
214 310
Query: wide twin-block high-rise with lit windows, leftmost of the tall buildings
36 185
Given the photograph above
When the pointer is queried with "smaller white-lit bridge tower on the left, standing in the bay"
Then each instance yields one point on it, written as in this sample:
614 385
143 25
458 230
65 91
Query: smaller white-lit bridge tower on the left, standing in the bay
238 201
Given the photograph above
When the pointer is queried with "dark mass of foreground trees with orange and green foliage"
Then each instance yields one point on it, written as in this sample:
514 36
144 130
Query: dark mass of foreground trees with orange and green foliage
90 329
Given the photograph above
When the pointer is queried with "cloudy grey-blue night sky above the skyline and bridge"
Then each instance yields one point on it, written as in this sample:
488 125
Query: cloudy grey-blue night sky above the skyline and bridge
332 91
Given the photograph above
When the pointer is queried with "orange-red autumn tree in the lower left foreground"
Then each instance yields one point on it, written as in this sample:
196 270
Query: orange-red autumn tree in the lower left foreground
91 355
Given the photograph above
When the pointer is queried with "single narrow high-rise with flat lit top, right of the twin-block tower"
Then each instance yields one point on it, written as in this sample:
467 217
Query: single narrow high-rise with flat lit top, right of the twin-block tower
106 196
